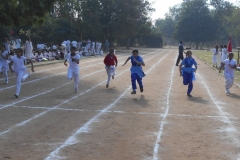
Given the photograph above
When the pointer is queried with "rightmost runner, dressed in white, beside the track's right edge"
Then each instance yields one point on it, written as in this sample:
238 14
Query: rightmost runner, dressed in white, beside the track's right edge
229 65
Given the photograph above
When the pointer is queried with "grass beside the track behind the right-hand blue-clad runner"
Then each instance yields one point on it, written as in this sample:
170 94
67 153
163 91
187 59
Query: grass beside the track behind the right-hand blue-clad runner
206 56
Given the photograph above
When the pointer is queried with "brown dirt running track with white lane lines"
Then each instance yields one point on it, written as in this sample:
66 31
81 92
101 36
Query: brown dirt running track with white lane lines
50 121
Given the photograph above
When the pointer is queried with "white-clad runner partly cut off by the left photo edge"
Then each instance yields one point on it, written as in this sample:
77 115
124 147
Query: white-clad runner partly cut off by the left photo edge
4 62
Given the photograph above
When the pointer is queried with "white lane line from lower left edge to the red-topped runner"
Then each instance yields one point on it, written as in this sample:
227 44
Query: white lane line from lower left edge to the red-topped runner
66 101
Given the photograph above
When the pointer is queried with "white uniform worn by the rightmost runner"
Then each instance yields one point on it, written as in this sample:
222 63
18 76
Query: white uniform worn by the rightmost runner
229 72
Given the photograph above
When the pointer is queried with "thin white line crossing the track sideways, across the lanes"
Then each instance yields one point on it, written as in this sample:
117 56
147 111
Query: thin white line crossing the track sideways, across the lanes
121 112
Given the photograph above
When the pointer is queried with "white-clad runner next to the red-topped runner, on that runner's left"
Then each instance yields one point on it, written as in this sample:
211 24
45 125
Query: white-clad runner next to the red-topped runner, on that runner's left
73 69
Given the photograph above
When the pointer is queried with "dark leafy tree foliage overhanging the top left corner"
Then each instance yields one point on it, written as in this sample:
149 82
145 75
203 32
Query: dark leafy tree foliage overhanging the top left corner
15 13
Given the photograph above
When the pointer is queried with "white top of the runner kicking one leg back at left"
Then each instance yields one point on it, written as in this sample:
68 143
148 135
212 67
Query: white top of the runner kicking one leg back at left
18 63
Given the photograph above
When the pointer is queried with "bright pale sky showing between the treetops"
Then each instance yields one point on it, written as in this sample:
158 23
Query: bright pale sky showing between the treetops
162 7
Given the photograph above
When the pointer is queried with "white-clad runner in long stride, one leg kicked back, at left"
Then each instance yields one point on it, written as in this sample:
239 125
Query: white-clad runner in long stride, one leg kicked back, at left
19 69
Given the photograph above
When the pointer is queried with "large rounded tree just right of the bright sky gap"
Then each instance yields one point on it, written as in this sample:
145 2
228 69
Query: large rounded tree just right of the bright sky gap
195 23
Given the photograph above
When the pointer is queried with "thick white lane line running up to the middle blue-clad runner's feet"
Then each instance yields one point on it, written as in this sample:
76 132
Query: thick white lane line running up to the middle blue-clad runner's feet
73 138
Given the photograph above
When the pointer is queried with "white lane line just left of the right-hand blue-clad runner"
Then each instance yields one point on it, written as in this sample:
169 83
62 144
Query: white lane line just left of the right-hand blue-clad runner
156 146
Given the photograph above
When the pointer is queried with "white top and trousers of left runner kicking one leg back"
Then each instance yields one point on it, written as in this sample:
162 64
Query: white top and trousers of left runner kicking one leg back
20 71
